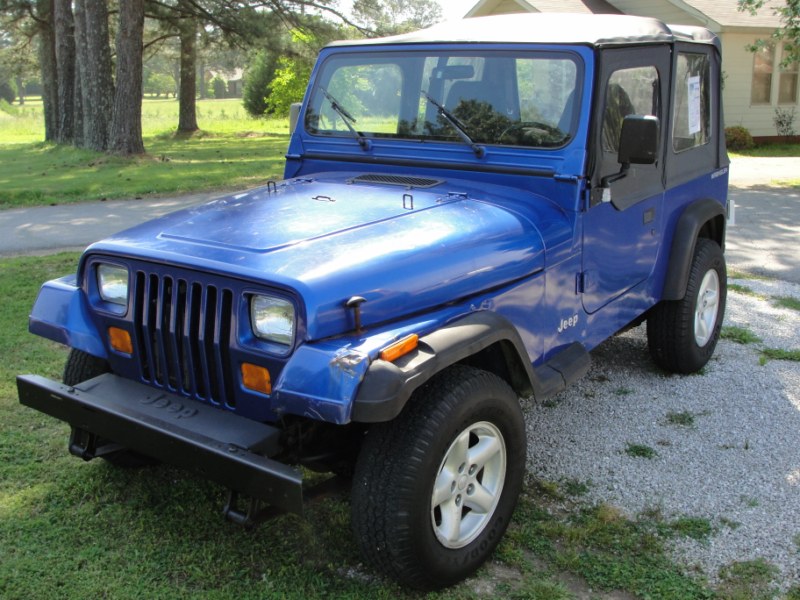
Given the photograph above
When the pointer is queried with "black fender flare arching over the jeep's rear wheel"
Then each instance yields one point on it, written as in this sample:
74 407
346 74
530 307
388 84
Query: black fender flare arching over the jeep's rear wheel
704 218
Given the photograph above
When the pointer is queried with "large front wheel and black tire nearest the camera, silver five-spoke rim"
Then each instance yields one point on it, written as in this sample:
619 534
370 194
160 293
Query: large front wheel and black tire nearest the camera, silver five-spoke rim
434 489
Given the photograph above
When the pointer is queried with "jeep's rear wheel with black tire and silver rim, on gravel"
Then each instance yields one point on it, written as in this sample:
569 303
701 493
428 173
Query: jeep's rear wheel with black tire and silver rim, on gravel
672 332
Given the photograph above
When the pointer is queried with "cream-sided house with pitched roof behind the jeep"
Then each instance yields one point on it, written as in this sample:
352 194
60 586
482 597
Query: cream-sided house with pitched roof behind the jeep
755 83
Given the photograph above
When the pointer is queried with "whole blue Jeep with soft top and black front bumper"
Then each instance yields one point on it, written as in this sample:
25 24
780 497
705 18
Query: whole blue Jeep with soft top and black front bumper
466 212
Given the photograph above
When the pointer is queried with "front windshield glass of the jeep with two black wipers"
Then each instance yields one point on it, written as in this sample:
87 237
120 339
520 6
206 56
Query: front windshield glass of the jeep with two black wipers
491 97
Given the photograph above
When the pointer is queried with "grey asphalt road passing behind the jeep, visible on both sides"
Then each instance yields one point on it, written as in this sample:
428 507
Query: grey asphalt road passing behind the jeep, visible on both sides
763 238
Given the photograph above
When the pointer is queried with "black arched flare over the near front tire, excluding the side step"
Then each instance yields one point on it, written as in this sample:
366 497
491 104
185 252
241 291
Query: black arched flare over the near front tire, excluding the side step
485 340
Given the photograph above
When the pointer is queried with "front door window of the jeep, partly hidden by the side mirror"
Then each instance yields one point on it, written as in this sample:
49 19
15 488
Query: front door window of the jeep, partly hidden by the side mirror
633 91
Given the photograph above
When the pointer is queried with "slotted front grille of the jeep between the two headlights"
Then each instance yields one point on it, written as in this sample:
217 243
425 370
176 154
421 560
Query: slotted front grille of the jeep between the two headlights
183 333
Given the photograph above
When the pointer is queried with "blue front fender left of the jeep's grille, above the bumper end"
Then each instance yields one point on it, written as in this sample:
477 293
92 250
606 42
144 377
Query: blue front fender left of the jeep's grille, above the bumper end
61 314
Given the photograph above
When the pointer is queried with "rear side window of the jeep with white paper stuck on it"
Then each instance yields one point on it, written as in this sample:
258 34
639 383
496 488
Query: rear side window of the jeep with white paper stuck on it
692 123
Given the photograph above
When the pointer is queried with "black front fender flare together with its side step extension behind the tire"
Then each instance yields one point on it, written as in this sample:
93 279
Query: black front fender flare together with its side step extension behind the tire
387 386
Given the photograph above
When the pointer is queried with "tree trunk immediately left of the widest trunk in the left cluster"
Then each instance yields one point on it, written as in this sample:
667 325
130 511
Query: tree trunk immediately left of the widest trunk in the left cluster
97 86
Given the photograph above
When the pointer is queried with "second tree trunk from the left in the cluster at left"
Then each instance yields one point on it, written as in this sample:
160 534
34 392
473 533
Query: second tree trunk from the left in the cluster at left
65 70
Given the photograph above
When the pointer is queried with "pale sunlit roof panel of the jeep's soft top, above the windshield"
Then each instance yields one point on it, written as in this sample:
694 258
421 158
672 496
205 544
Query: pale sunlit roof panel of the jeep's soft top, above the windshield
550 28
